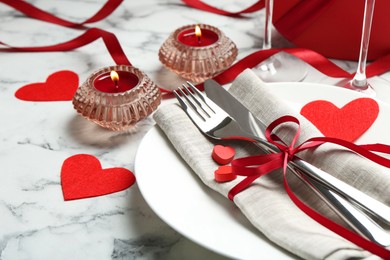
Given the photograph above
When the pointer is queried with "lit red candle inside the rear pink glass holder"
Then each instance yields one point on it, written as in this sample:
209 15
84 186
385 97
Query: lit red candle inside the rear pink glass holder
197 37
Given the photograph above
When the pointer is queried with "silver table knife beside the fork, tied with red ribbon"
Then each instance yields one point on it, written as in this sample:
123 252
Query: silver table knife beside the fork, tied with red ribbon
346 209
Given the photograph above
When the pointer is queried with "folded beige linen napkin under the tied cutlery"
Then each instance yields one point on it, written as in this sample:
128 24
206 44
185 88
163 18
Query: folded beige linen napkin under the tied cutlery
265 203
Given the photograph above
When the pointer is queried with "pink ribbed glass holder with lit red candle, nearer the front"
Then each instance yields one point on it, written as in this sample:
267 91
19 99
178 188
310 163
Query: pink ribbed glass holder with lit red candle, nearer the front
118 101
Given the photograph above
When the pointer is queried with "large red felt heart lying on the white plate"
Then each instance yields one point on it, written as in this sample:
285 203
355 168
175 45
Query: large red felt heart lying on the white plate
348 122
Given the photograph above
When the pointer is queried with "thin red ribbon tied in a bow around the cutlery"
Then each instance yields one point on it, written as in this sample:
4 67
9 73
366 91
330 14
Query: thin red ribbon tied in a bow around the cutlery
254 167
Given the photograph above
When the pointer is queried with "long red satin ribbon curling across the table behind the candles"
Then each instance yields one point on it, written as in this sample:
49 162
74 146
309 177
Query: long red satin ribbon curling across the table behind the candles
113 46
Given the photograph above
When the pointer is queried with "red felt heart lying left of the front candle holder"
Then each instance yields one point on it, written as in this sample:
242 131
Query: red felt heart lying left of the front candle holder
59 86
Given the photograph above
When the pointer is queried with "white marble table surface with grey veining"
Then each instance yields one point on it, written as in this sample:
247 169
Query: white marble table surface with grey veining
36 137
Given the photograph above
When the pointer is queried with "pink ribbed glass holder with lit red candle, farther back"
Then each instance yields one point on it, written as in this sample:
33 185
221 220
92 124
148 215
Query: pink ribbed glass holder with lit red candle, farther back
195 57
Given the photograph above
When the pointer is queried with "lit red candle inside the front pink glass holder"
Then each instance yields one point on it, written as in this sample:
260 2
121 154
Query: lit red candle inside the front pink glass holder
115 81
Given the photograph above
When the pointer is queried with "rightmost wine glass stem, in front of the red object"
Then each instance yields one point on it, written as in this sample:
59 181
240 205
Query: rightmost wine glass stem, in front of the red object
360 79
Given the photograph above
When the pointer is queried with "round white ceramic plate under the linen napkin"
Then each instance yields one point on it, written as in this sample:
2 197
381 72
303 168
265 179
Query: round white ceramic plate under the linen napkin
176 194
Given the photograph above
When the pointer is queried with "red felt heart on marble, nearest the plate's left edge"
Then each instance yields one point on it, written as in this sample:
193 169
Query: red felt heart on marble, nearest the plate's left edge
83 177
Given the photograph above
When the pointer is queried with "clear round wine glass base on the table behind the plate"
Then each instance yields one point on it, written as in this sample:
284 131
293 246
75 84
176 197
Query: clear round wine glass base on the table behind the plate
281 67
